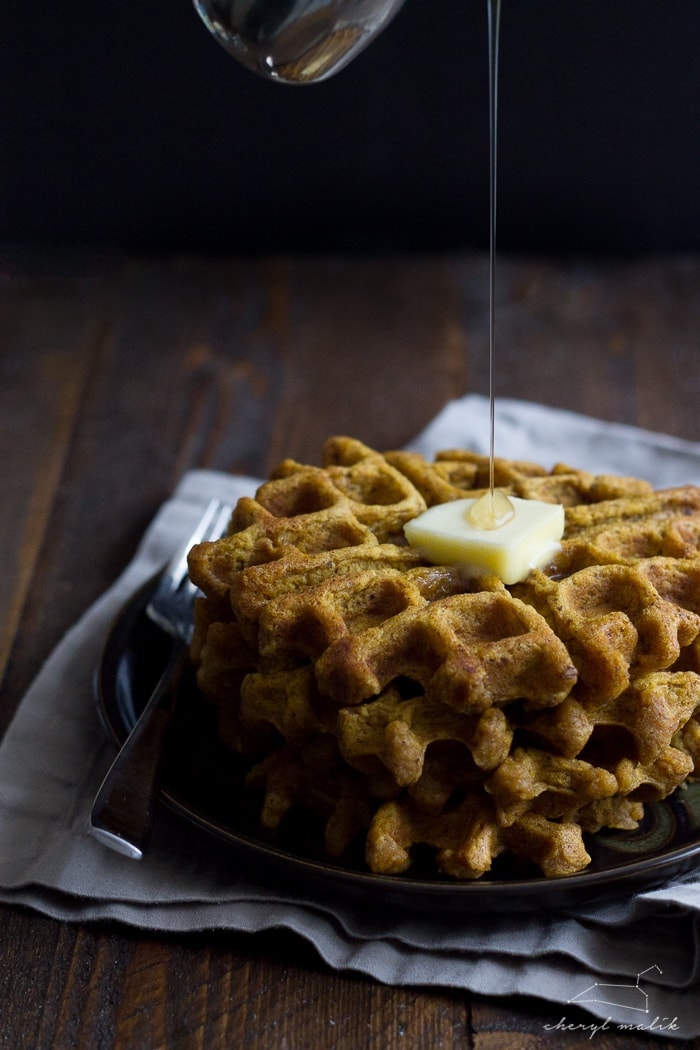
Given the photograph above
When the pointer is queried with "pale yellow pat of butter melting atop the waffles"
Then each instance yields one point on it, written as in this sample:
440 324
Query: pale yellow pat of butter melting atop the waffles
447 536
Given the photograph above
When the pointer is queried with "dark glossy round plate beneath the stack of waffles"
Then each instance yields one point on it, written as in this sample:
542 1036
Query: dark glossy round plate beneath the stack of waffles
204 786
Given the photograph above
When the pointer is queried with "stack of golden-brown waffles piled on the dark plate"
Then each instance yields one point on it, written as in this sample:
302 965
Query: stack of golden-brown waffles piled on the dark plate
414 708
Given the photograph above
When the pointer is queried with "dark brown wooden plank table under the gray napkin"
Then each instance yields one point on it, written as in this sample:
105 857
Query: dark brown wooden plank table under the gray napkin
118 375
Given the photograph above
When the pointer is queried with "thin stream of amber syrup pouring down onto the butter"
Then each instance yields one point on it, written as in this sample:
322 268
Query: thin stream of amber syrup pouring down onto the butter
494 510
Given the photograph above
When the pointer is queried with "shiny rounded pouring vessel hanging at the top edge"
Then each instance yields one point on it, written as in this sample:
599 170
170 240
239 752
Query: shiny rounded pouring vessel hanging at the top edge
296 41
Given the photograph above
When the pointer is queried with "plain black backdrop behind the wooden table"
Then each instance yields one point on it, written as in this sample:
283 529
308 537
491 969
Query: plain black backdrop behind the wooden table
125 123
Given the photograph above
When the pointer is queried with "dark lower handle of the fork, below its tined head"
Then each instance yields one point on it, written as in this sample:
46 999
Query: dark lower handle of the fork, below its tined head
122 814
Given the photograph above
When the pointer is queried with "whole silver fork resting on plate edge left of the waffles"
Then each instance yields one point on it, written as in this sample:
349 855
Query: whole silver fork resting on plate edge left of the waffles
122 814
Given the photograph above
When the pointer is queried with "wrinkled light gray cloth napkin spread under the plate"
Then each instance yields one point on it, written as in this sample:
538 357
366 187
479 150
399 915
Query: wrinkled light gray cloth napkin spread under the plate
55 754
